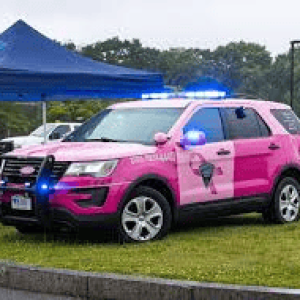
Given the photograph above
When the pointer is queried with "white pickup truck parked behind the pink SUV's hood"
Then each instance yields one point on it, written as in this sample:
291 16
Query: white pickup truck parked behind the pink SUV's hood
54 131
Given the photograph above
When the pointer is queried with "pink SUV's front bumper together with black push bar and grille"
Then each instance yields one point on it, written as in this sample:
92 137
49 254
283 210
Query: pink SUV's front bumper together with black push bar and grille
71 201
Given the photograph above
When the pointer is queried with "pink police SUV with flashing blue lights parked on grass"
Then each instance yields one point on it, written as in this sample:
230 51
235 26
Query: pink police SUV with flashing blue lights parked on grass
141 165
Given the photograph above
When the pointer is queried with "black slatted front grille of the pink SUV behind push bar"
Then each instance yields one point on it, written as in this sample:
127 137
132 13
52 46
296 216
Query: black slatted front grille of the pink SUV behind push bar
13 165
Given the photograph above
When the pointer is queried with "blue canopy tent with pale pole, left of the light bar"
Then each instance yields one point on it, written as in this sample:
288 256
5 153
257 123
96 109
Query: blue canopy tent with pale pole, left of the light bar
35 68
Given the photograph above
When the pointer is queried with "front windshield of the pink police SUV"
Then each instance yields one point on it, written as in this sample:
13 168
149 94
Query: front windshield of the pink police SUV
136 125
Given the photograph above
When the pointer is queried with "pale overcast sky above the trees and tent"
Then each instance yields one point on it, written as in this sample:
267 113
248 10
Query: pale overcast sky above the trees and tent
162 24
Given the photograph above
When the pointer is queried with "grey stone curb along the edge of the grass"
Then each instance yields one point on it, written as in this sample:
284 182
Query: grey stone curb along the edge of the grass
83 285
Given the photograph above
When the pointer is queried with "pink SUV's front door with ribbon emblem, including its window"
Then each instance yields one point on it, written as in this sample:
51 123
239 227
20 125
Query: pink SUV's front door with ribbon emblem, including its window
206 172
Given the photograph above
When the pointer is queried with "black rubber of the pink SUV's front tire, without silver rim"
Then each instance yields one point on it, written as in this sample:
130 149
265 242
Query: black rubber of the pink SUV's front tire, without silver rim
161 201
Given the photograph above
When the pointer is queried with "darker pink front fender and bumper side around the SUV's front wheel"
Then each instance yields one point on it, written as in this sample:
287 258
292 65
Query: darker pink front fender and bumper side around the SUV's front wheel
127 171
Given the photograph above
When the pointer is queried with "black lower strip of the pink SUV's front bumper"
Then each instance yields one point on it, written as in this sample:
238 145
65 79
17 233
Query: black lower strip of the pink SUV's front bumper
60 217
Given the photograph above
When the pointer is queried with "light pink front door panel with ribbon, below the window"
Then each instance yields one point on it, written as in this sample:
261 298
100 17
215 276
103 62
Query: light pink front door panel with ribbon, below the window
192 186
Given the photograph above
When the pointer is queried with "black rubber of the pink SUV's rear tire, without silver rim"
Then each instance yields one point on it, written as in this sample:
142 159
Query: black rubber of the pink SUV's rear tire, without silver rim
276 204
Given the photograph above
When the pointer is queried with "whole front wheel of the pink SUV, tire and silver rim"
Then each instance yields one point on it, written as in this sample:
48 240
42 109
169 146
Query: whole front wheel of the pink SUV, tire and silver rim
145 216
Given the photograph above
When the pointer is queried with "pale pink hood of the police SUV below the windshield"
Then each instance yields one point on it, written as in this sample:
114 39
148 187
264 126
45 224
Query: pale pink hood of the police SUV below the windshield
87 151
